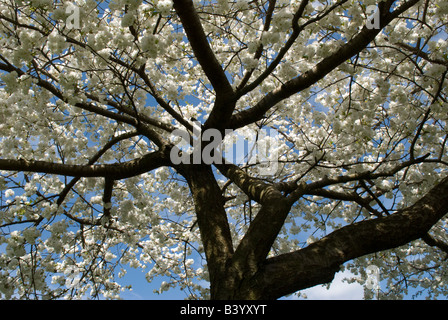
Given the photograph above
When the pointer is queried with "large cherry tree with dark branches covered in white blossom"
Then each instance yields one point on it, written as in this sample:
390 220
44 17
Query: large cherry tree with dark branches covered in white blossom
92 93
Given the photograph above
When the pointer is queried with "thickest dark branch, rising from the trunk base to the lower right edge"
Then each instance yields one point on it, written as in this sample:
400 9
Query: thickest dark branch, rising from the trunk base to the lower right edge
317 263
